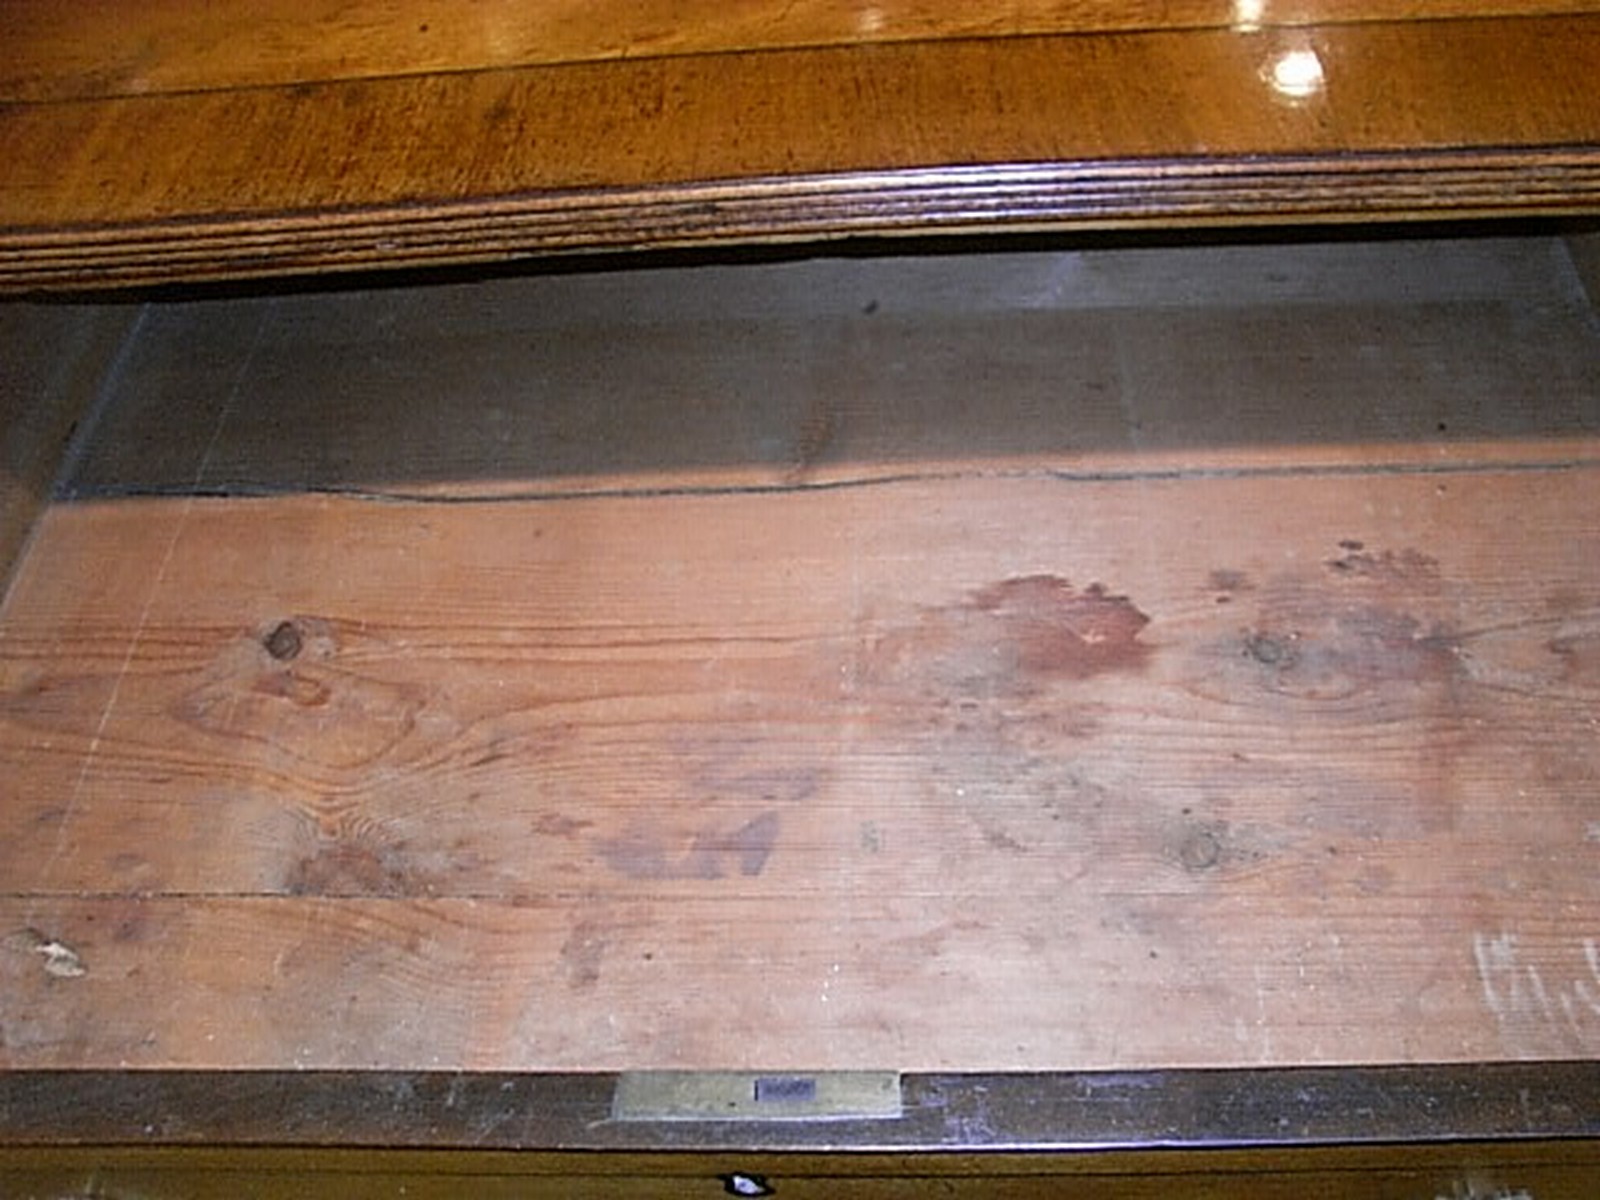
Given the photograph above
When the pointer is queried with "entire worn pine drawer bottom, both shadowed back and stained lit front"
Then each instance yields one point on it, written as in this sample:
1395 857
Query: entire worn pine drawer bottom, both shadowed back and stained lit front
1174 750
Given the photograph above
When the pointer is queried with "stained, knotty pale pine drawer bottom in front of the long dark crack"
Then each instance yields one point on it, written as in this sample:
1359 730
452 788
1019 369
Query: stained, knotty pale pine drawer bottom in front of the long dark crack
526 793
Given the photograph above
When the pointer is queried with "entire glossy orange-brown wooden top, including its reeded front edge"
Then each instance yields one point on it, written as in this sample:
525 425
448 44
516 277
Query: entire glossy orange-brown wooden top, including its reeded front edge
295 151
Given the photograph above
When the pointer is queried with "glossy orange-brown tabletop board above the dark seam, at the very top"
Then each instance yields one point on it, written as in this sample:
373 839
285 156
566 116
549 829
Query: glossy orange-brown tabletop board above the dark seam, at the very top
148 47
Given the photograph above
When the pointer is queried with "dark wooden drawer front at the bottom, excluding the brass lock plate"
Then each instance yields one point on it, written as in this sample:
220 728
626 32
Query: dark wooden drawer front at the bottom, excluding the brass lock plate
1463 1130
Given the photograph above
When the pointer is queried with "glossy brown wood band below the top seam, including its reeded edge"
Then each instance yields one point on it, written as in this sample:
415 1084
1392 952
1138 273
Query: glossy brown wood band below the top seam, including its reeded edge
1418 119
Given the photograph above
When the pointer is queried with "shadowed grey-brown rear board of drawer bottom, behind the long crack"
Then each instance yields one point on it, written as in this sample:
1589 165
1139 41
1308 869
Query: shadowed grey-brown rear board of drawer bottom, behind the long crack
783 369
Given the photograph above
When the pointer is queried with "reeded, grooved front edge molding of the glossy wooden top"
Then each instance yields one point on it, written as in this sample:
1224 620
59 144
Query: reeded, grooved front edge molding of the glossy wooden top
770 210
